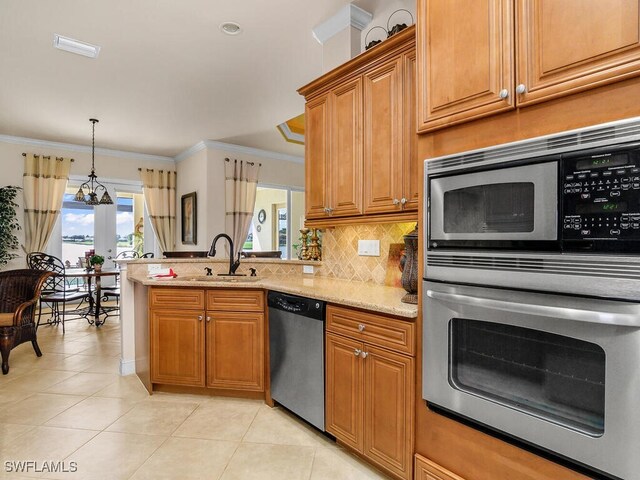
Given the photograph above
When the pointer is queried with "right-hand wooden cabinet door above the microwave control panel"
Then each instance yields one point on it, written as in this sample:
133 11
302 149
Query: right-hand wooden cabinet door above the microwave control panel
573 45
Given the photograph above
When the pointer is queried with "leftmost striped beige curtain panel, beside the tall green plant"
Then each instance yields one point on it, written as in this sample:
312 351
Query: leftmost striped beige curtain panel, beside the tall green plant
44 182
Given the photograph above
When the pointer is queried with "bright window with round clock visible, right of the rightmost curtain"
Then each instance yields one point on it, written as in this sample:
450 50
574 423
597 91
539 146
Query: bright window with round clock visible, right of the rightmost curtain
278 217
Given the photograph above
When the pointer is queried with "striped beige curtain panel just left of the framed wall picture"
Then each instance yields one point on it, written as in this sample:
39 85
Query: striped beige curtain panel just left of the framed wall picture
159 188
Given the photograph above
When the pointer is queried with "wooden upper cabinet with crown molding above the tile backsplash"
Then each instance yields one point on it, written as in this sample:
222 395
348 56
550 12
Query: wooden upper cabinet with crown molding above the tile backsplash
360 149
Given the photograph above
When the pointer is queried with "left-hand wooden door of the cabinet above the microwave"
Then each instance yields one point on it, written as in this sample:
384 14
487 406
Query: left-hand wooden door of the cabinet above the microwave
465 53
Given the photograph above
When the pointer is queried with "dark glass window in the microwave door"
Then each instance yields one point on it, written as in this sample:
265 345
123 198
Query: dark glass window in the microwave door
499 207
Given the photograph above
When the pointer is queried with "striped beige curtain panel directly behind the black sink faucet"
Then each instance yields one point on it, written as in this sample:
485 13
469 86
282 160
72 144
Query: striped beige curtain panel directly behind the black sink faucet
241 183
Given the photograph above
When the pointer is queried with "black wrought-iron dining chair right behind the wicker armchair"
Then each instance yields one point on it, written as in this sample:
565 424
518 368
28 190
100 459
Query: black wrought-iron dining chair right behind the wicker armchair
56 291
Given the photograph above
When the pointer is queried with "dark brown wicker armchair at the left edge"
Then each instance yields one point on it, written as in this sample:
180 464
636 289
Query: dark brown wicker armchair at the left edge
19 292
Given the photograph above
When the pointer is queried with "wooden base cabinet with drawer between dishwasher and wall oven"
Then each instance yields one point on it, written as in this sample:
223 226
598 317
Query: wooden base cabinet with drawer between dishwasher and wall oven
369 398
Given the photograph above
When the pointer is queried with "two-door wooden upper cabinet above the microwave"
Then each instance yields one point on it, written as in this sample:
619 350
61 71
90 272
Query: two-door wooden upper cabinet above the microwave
480 57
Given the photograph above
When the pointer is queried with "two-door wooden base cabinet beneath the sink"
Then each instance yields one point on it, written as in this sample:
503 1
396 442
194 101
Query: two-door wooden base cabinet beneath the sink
212 338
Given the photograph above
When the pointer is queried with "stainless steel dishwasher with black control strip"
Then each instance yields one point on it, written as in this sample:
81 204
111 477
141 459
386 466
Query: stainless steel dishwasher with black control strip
296 351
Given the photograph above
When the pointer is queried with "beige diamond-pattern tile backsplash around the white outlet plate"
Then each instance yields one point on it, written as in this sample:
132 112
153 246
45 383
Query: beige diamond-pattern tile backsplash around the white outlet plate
340 257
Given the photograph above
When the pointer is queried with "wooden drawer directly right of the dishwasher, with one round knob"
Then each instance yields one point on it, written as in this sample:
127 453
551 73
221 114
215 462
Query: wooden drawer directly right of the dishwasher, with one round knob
378 330
